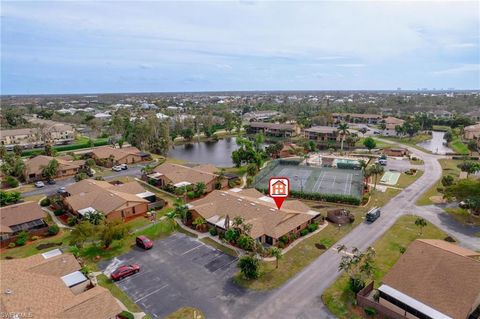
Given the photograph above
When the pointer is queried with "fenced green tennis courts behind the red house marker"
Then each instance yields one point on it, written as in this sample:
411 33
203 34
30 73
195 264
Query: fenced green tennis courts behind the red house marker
322 180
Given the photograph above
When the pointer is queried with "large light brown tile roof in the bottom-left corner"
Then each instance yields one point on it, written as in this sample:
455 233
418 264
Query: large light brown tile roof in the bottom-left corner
35 286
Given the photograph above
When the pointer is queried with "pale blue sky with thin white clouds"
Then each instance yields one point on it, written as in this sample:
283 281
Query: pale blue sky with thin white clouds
98 47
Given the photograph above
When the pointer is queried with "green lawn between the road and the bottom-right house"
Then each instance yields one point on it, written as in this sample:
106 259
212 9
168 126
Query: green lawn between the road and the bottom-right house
340 300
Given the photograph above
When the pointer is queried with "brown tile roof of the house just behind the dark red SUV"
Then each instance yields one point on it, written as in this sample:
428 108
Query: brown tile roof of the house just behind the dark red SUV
103 196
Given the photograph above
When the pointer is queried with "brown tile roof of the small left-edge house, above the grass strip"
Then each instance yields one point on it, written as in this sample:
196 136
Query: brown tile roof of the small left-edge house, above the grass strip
18 214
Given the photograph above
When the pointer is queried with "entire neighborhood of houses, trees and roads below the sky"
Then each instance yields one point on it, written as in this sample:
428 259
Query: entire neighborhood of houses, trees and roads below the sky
85 190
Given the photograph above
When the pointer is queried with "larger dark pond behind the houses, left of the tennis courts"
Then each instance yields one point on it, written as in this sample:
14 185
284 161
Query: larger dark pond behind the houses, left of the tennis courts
217 153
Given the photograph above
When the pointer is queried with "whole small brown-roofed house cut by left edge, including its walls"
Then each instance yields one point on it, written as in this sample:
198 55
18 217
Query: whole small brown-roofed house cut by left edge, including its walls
26 216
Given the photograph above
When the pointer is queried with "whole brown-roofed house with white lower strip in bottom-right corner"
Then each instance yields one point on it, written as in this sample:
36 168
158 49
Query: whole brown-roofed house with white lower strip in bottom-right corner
433 279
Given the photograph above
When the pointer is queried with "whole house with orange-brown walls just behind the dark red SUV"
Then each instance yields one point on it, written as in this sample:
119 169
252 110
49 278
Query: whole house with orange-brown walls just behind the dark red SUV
123 201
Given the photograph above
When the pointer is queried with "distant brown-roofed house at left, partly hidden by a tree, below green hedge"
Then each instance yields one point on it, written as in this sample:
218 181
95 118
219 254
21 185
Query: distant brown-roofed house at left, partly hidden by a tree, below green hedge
66 168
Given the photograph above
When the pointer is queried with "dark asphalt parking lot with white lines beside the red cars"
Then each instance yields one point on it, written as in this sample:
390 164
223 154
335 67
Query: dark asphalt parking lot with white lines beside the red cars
180 271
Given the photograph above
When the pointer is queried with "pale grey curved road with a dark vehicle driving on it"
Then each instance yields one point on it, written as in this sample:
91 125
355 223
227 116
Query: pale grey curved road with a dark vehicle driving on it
300 296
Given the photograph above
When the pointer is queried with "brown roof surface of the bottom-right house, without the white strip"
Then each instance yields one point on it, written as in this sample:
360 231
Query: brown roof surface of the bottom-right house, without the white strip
440 275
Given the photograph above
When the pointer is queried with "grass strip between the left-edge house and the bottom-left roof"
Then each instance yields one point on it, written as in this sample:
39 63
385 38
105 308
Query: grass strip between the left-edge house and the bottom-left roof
30 249
